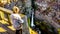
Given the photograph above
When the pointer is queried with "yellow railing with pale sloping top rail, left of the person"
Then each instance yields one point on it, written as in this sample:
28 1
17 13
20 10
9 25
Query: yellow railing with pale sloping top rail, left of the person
4 15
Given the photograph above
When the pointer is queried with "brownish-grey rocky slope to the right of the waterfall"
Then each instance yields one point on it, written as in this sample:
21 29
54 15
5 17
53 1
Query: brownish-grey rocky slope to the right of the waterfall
50 15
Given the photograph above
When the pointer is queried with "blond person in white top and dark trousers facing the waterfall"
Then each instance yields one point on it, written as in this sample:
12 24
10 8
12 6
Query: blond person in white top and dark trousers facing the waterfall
16 20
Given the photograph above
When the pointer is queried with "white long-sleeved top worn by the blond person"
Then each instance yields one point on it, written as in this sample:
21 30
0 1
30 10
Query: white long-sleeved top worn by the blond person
15 19
